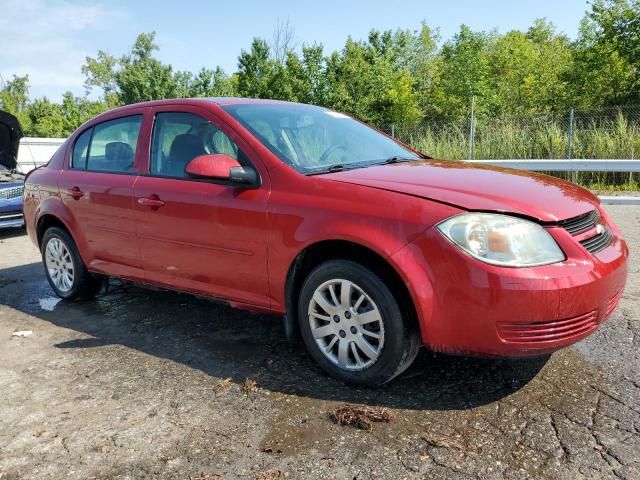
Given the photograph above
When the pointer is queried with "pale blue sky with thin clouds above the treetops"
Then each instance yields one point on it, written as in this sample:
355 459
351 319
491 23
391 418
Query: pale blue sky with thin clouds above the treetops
49 39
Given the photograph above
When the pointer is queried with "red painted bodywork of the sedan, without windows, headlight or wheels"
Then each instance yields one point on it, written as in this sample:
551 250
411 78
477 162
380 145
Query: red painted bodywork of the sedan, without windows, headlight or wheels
238 243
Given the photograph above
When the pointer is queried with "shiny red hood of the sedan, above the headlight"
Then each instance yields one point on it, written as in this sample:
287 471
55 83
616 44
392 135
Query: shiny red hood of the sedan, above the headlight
477 187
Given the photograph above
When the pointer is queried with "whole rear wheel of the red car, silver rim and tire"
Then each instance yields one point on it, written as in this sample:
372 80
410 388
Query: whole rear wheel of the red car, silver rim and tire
64 269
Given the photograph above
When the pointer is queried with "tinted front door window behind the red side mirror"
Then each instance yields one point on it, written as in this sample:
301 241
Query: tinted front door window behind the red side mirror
178 137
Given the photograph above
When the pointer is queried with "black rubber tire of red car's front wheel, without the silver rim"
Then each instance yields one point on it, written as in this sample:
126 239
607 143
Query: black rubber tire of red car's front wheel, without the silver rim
401 337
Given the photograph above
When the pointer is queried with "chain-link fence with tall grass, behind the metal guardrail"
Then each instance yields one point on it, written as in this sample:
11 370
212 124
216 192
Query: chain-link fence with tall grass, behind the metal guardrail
606 133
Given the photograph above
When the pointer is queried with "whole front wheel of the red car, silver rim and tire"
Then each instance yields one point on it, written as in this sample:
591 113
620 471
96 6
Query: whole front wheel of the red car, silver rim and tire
353 325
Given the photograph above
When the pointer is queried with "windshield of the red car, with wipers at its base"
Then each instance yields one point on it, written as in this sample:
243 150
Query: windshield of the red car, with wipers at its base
313 139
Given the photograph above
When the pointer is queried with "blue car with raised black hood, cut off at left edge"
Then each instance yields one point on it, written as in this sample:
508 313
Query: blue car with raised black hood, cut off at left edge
11 181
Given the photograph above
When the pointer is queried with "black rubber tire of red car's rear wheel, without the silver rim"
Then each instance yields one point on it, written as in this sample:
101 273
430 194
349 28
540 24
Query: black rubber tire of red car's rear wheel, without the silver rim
85 285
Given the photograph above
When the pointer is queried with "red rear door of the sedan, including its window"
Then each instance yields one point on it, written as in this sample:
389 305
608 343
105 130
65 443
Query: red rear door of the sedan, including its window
97 187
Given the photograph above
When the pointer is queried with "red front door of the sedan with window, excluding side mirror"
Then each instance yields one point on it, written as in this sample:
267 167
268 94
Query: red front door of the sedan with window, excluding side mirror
196 235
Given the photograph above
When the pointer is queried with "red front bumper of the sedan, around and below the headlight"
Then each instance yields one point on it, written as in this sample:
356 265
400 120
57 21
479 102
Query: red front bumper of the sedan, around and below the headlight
467 307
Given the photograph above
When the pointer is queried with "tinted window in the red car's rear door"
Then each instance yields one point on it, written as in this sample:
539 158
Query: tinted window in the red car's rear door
113 145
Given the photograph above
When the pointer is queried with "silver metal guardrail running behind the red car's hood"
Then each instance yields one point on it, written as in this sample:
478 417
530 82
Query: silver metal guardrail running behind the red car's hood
535 165
